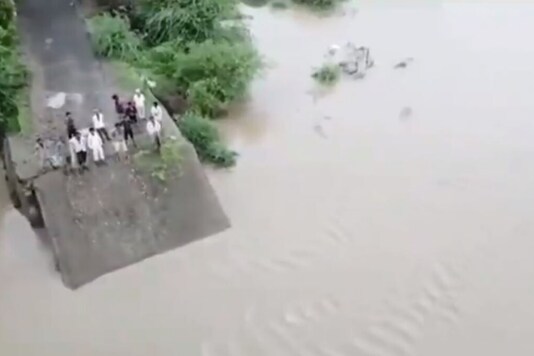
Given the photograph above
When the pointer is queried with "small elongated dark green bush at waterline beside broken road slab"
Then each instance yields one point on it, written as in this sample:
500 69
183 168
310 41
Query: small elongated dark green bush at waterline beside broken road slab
203 135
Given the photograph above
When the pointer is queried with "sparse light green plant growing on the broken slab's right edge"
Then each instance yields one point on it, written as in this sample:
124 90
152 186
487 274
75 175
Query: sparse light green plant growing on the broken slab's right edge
163 165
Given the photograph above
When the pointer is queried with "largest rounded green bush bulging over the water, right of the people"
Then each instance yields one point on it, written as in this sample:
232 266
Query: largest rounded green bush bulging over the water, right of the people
211 73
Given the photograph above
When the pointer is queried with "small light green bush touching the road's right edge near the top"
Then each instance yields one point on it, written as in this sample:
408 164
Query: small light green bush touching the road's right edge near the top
111 37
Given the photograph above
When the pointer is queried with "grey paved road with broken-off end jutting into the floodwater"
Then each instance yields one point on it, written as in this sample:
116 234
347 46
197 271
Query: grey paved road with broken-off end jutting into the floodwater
110 217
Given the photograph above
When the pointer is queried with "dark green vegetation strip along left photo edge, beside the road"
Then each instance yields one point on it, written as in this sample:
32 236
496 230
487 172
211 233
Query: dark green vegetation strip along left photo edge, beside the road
13 75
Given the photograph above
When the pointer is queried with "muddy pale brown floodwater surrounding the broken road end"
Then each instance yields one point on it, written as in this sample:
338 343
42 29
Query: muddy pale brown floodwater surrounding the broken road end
387 217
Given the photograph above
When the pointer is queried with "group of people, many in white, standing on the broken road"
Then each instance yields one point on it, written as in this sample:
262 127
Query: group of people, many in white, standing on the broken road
130 114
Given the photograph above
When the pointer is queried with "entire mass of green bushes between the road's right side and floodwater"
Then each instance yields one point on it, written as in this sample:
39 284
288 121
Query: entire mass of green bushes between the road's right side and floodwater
201 49
